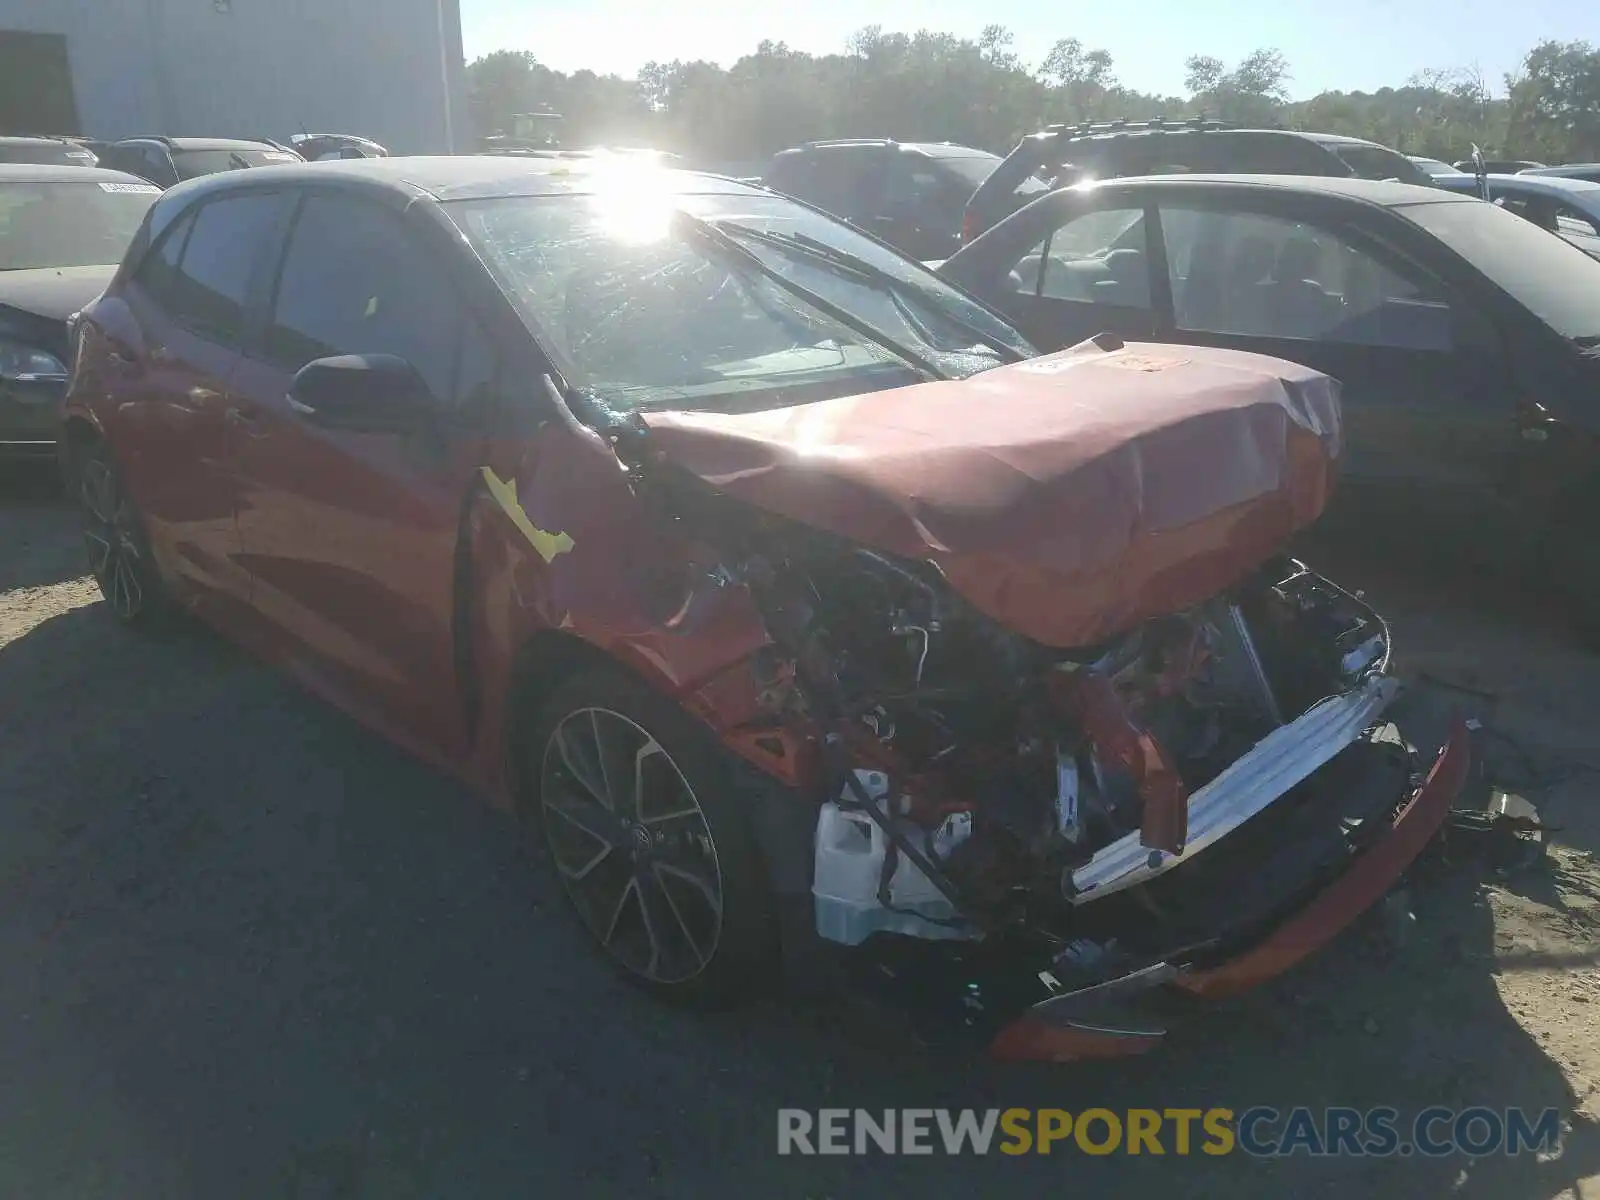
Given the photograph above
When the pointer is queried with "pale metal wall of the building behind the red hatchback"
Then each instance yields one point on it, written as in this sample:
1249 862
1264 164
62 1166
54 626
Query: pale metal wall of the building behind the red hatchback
386 70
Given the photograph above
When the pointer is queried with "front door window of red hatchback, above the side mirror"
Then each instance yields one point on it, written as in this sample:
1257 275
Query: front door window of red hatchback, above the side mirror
354 282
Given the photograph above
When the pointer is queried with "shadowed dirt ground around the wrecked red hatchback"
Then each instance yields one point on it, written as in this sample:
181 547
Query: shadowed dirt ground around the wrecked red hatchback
252 951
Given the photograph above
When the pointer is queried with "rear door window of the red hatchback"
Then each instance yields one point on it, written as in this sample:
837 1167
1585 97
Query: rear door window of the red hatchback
212 282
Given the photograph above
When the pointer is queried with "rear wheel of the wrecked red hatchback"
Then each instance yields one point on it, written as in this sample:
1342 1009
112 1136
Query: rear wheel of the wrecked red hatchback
119 553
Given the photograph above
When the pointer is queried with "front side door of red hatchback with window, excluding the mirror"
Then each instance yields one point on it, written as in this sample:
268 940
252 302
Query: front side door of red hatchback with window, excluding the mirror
351 537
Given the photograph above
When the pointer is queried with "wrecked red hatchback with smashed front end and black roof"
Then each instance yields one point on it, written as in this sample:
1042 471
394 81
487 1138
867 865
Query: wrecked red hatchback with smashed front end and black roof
801 610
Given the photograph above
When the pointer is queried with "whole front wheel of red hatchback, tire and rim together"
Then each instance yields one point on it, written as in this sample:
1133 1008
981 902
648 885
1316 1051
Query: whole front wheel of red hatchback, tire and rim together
638 810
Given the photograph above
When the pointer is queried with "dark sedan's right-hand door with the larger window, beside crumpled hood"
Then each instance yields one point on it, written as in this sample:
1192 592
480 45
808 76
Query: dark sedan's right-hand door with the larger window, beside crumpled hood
1430 404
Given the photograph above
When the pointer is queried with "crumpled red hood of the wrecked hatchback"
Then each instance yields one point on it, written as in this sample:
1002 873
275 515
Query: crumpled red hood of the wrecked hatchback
1070 498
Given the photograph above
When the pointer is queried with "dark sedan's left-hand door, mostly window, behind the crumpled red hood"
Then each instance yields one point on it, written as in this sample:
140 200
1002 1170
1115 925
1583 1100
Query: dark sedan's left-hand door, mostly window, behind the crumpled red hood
1068 268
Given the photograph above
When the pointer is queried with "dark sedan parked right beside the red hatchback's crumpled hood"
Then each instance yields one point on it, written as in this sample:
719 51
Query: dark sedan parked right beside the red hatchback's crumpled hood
1465 338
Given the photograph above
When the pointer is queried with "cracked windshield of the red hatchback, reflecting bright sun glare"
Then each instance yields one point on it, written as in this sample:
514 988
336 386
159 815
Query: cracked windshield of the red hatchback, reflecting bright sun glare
642 314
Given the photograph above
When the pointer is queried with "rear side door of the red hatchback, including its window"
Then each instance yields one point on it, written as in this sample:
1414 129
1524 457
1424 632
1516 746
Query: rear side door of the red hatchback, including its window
190 302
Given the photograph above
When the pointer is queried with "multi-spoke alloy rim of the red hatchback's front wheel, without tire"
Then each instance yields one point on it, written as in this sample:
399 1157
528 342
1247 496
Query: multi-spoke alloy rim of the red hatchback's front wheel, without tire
631 846
